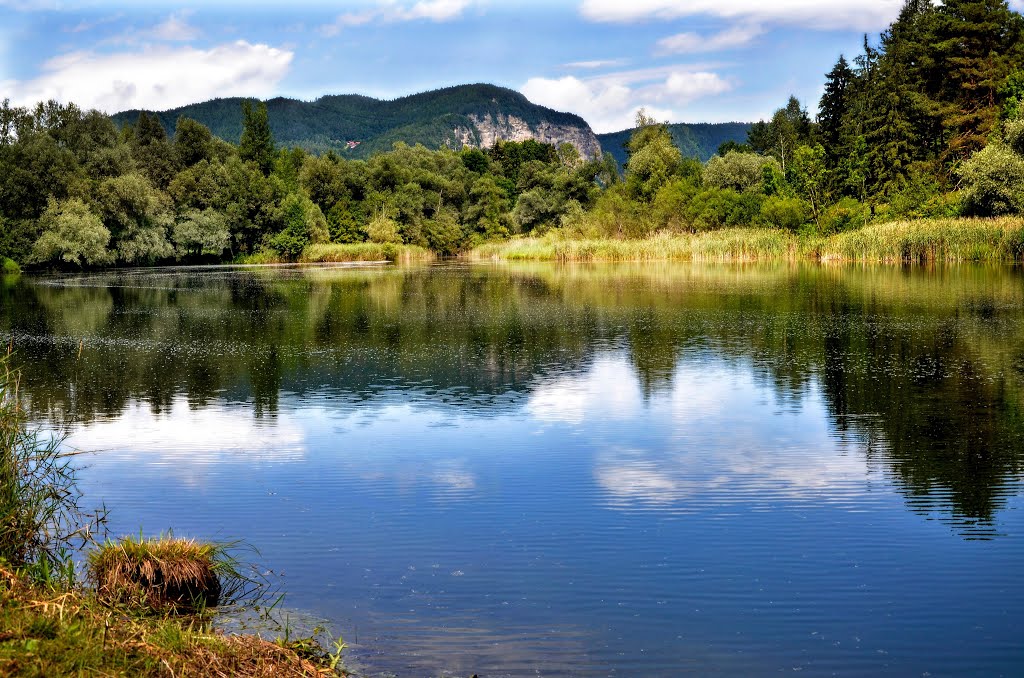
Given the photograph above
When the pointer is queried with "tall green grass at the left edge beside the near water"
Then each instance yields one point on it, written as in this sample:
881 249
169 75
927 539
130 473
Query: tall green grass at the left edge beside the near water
41 521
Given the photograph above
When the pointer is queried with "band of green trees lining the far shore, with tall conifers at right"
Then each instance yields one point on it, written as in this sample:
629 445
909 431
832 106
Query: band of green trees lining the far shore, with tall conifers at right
927 121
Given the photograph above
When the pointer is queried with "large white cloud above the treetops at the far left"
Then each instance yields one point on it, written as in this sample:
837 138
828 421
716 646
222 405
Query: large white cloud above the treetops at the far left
156 78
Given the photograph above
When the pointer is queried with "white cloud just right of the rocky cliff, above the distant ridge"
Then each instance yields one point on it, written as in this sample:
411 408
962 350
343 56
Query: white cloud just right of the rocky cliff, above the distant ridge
610 102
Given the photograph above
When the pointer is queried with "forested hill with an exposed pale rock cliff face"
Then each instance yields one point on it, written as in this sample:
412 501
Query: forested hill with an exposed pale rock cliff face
467 115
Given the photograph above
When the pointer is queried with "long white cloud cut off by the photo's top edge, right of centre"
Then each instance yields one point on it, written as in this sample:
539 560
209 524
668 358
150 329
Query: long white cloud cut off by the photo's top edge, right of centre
837 15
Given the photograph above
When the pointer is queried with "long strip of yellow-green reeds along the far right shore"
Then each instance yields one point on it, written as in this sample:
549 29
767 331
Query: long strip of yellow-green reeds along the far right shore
921 241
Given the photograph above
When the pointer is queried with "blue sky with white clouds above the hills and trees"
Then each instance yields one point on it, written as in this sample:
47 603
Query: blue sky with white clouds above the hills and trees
684 61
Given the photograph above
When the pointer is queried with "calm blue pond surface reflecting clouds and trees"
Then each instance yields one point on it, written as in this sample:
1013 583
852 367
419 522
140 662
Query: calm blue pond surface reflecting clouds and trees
553 471
